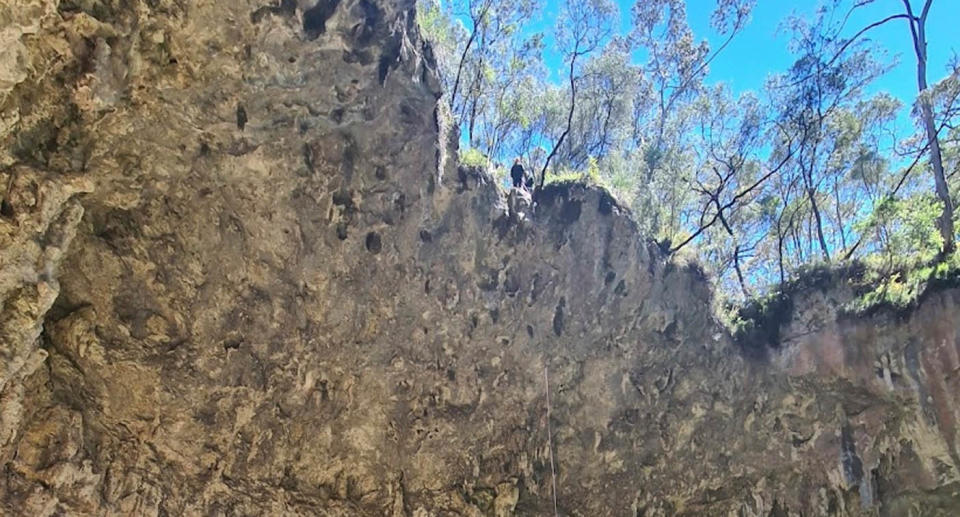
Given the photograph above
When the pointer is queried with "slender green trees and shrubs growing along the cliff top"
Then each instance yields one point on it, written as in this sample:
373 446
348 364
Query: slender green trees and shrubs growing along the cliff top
819 166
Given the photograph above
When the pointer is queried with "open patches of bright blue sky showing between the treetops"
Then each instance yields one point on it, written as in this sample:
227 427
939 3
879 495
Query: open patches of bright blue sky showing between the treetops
761 48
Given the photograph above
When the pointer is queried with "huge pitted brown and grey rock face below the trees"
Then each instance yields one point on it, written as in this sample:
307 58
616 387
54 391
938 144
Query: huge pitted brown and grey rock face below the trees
241 275
